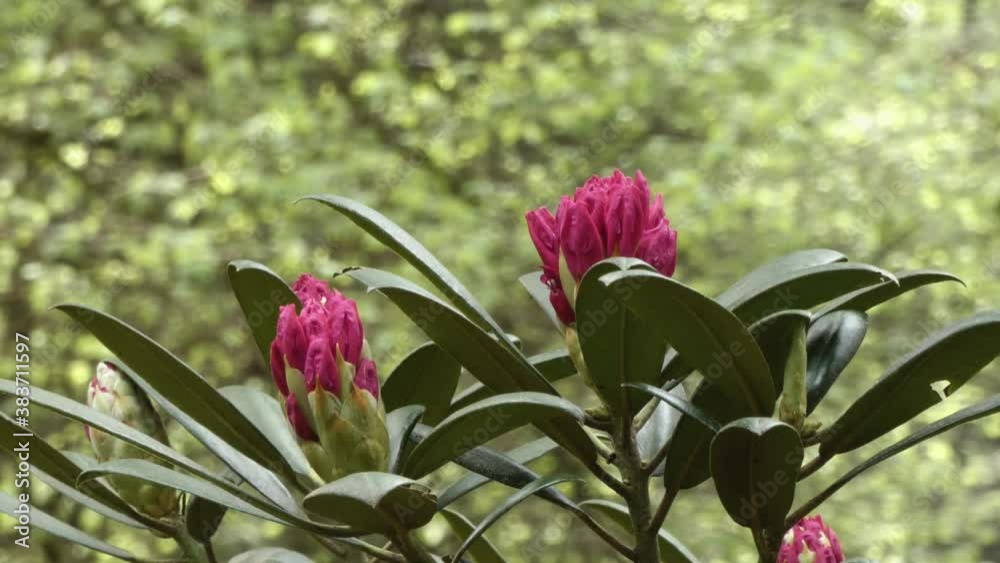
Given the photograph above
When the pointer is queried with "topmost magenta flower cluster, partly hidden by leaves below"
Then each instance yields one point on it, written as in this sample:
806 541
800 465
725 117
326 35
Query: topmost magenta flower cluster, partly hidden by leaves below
607 216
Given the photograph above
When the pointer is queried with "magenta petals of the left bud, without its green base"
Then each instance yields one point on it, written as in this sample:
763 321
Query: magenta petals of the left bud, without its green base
311 341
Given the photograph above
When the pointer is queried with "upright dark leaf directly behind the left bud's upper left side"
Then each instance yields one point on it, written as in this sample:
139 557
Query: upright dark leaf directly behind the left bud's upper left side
261 293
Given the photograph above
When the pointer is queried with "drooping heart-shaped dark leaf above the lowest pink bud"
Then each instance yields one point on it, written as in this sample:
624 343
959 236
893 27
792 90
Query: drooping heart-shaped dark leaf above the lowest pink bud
755 464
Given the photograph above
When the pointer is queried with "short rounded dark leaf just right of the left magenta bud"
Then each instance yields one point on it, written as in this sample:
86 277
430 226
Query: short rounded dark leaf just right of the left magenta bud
426 376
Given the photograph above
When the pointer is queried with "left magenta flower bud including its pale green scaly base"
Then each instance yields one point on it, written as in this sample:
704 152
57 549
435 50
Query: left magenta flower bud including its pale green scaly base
329 387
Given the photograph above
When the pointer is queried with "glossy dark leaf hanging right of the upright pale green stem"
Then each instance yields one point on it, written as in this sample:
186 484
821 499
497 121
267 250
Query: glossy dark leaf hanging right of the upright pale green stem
832 342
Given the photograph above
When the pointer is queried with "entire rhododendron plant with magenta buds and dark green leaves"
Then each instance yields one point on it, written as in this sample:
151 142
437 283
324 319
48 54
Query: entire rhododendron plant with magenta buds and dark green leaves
688 387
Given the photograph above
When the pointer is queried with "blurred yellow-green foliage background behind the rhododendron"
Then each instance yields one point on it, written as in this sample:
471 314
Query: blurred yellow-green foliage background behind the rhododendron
145 143
